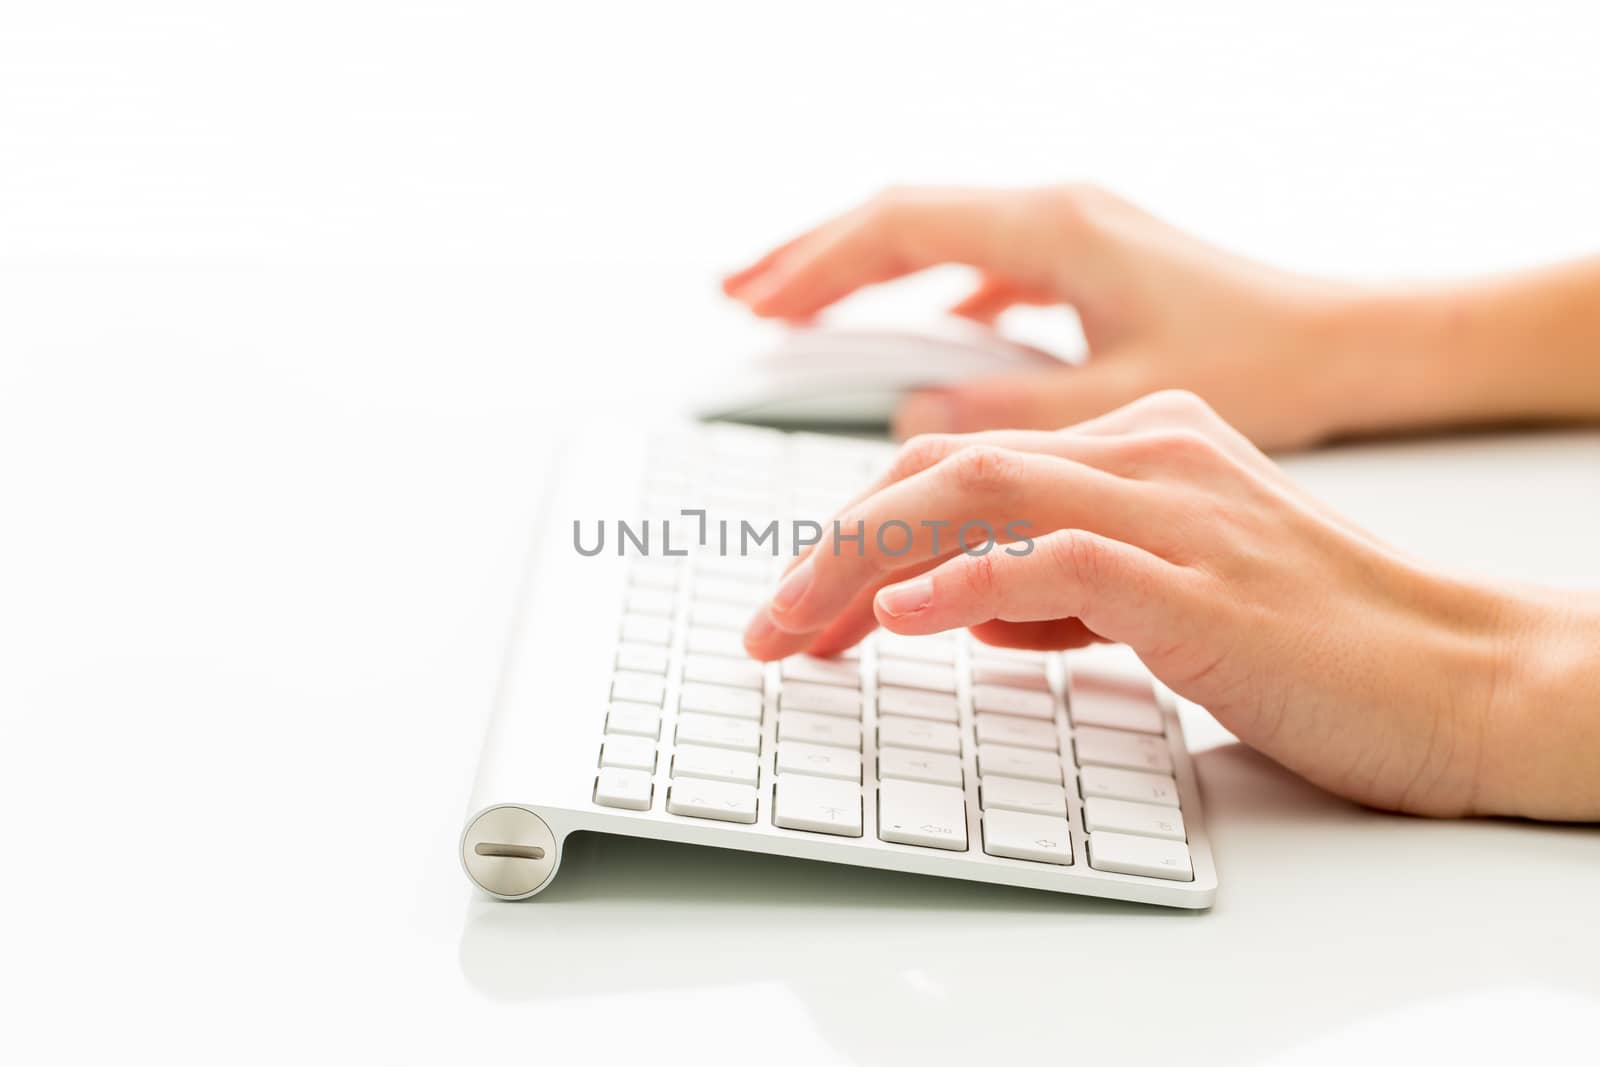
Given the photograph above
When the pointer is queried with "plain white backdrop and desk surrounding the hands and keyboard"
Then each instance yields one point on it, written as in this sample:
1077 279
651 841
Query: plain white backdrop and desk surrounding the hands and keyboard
290 297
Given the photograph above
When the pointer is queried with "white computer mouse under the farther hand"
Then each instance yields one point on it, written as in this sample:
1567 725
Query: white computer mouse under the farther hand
850 380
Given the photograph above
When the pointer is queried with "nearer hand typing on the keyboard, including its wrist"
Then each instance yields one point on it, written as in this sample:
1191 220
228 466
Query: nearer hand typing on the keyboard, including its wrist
1162 527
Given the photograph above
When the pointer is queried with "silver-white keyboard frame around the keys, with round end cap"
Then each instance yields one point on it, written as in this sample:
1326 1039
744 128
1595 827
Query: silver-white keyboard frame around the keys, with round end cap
537 775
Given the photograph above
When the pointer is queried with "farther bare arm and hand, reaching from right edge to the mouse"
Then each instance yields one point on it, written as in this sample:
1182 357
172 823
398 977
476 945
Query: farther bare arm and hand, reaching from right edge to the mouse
1286 359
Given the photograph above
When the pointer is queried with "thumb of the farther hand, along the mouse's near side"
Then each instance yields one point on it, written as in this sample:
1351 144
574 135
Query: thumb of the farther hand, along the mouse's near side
1031 401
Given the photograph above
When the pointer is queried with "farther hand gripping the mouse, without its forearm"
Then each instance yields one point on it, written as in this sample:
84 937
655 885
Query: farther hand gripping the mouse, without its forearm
1159 310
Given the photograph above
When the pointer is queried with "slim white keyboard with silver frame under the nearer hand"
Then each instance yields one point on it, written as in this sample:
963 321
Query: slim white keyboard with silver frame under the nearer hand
642 716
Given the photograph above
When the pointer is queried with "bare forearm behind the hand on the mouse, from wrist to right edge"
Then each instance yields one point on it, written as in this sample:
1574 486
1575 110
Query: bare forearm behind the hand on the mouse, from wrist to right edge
1526 348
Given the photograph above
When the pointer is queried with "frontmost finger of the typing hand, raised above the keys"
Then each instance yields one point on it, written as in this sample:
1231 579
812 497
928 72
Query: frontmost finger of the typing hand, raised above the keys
1114 588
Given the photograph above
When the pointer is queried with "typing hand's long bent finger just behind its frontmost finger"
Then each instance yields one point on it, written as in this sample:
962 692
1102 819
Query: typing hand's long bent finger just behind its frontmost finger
977 495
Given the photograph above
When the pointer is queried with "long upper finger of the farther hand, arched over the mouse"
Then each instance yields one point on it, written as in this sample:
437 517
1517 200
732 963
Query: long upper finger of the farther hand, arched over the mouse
905 233
